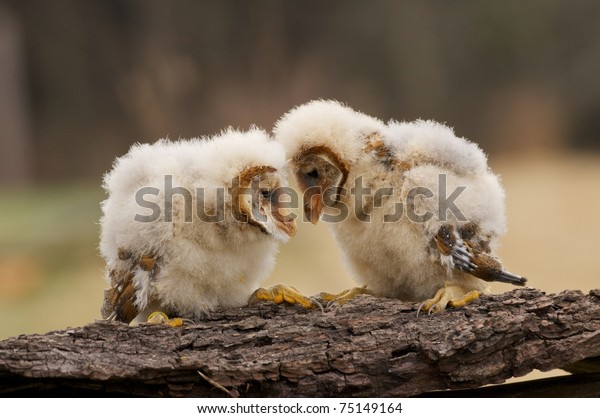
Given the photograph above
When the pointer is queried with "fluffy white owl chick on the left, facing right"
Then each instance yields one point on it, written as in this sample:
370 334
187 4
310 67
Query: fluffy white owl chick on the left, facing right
189 226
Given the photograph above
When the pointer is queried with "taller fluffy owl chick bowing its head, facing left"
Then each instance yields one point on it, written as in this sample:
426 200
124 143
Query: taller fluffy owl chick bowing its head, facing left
414 209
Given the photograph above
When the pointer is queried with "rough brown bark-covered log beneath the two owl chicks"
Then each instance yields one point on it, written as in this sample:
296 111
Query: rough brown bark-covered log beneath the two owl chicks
367 347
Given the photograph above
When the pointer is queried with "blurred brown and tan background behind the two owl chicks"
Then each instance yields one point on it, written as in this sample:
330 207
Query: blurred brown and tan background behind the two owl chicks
82 81
